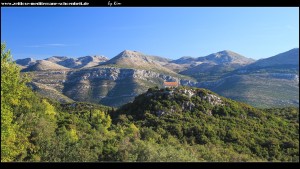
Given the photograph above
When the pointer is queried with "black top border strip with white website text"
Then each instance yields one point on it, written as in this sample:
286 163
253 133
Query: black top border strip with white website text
150 3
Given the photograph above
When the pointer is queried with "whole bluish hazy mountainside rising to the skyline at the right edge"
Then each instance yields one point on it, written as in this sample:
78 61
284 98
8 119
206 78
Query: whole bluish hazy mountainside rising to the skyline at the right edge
268 82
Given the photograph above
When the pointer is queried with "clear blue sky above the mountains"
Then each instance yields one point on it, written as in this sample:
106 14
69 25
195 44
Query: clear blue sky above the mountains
255 32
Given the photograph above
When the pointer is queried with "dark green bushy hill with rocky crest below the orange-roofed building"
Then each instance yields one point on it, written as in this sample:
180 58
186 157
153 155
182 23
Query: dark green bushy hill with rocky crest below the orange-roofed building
217 129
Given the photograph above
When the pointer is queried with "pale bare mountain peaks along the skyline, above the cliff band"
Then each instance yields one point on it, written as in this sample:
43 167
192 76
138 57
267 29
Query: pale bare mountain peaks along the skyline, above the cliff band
134 59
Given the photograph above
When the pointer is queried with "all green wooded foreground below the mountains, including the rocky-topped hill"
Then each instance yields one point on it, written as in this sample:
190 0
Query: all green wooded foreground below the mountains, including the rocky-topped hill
182 124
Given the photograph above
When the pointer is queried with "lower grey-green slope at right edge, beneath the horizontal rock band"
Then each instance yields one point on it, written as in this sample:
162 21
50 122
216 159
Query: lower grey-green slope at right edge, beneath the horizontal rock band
260 90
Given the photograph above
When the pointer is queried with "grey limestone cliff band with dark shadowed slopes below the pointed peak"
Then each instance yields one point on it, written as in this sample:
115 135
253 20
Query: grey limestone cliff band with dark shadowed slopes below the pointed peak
108 85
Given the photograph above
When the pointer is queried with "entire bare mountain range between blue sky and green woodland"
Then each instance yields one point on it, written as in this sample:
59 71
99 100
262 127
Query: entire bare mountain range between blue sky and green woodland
269 82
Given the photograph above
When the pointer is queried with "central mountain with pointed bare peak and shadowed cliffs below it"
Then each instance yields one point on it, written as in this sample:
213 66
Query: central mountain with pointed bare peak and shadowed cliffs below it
112 83
